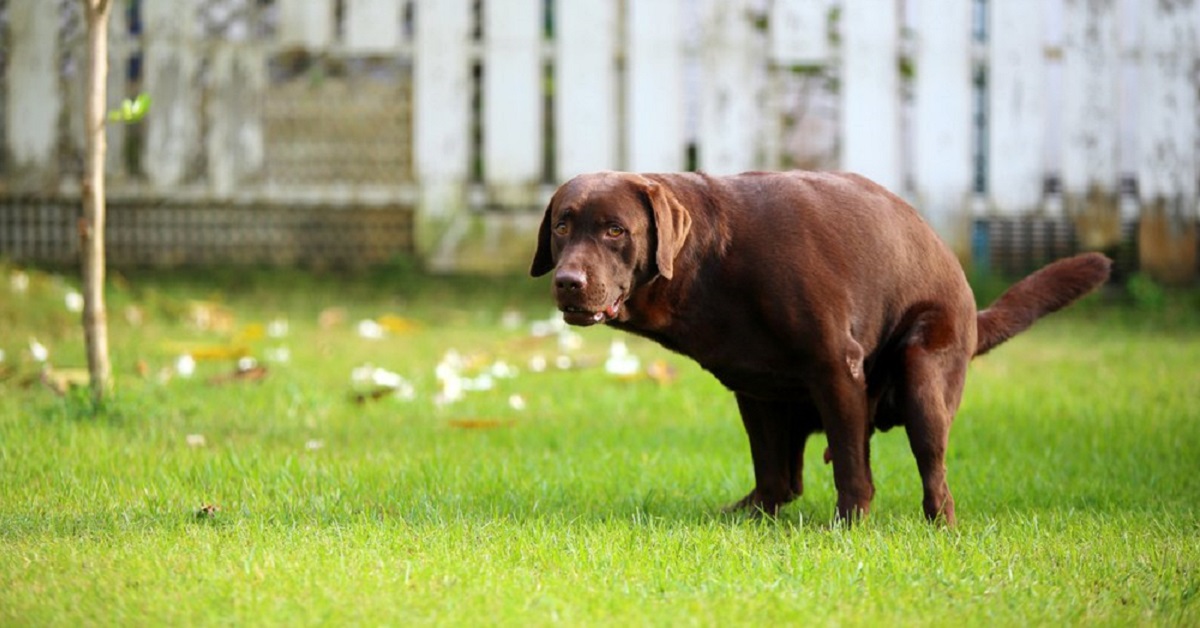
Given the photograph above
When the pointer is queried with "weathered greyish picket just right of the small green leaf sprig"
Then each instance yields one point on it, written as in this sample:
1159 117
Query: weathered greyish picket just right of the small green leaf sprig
171 77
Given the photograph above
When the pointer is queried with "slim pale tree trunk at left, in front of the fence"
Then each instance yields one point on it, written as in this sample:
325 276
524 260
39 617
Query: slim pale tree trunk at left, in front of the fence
92 226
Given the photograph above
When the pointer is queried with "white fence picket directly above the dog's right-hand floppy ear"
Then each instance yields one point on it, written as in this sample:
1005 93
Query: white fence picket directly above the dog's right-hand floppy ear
655 112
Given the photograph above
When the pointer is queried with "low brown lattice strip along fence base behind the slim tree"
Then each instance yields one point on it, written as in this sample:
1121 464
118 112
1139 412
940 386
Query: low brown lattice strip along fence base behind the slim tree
167 234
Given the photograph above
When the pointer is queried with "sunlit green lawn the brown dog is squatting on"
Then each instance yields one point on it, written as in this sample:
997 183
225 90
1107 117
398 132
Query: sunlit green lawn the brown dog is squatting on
1076 464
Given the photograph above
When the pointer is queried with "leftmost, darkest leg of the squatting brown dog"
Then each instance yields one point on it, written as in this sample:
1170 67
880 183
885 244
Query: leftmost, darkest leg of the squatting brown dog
778 430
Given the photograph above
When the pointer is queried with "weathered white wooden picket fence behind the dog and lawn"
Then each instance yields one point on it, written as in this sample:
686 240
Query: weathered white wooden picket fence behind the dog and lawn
967 107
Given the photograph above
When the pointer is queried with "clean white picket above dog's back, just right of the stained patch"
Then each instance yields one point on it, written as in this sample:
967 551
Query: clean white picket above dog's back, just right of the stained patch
871 92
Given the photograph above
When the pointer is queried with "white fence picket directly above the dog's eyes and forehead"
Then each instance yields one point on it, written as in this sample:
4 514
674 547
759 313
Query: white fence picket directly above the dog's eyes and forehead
585 87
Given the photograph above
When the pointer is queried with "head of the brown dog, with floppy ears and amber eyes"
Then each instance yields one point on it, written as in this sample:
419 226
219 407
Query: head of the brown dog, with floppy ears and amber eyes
605 236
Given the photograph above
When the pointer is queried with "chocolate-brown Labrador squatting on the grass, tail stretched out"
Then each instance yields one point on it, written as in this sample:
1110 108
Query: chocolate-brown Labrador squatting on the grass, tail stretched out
821 301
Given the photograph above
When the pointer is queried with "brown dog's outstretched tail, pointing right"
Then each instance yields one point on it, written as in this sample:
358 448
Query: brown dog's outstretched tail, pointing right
1039 295
